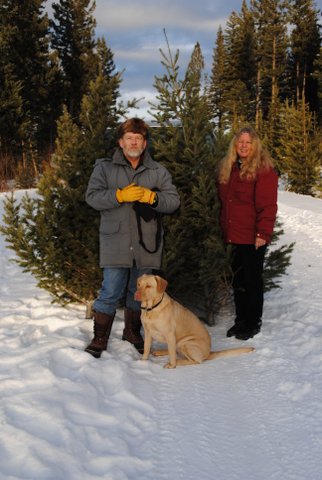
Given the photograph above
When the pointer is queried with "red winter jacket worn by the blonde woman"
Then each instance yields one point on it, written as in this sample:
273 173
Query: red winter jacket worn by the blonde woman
248 207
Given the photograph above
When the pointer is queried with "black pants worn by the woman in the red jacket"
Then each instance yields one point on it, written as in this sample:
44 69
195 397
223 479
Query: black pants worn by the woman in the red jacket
247 266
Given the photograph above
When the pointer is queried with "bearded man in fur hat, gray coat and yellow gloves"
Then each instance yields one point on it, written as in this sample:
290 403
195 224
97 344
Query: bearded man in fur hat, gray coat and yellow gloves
130 245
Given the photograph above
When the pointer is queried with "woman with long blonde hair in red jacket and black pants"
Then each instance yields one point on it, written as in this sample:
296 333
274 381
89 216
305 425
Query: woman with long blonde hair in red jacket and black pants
247 186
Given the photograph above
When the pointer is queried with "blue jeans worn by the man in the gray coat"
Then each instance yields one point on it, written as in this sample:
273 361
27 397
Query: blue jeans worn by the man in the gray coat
118 282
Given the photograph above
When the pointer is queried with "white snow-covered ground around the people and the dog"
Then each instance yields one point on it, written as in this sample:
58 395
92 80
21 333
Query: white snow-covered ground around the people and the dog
67 416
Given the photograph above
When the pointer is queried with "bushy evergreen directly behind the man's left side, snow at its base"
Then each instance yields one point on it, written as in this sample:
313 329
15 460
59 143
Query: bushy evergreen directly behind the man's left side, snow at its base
56 234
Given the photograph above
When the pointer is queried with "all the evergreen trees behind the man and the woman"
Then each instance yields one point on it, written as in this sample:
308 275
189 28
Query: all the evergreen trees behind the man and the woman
60 106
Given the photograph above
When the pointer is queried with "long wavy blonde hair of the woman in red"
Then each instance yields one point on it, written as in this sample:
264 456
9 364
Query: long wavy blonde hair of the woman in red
258 159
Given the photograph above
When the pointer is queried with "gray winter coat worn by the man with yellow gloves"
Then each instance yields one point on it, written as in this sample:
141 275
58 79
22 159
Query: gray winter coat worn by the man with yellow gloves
119 237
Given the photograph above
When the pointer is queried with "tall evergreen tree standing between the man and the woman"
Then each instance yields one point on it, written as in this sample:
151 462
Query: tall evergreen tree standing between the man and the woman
194 256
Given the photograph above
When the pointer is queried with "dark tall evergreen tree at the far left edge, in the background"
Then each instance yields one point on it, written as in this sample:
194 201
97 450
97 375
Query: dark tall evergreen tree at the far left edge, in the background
24 78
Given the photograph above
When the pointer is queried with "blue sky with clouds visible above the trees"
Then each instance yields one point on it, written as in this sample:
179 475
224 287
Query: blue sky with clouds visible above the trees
134 30
